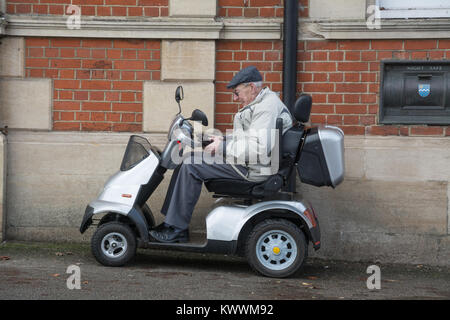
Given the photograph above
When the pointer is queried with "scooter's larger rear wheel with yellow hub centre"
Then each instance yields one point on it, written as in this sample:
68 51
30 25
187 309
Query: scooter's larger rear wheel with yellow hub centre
276 248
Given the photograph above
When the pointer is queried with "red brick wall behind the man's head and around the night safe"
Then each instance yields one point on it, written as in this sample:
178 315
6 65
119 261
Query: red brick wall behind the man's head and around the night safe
342 77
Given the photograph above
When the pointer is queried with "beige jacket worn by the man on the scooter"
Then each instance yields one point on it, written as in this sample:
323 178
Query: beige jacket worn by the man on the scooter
253 140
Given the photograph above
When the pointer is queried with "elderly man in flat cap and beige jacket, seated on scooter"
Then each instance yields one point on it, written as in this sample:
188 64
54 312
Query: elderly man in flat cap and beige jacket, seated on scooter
251 128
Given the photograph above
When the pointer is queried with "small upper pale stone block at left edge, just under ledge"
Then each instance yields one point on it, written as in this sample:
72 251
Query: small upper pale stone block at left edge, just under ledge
12 52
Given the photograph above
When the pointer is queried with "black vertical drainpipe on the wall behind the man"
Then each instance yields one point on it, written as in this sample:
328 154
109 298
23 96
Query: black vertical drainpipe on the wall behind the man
290 24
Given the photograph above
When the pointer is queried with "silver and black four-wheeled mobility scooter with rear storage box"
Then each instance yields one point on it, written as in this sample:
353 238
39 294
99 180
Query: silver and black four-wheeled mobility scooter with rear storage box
259 220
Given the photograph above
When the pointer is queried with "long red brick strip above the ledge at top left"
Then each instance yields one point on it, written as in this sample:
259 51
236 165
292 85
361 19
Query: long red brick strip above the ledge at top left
147 8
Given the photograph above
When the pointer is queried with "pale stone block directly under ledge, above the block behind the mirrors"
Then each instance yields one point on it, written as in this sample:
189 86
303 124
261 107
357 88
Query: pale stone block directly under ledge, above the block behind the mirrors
187 60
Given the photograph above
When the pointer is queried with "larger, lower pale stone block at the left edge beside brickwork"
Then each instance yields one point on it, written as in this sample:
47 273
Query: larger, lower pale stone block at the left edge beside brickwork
26 103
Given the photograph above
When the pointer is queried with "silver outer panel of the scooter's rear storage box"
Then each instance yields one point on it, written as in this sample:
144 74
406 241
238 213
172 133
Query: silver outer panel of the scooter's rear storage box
332 140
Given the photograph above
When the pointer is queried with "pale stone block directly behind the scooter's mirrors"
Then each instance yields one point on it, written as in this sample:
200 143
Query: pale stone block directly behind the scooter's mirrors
160 106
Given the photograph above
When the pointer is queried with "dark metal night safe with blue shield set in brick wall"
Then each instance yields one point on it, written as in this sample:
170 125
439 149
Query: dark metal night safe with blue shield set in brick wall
415 92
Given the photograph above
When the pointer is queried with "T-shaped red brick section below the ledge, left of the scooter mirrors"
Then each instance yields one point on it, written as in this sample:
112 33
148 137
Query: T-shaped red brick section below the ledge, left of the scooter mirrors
97 83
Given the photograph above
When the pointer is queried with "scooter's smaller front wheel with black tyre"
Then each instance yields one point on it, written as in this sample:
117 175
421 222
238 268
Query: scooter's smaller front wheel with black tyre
113 244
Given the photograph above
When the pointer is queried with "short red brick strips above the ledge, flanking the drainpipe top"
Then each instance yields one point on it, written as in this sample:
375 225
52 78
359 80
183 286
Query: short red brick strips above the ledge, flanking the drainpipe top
257 8
